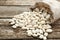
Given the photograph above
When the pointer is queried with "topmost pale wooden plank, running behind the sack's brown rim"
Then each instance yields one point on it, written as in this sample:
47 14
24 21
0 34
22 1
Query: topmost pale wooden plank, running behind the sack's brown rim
18 2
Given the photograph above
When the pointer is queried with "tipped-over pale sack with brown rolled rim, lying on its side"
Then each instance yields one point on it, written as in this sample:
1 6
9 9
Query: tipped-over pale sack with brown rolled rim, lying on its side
52 6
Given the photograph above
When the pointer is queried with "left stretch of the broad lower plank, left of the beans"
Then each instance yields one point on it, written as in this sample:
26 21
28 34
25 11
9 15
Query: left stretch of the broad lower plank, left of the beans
9 33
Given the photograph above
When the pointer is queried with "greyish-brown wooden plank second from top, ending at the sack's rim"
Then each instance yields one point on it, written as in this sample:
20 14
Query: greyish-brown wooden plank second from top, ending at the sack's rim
10 11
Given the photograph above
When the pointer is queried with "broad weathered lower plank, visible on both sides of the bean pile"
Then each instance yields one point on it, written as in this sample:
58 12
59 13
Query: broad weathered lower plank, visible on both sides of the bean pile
7 32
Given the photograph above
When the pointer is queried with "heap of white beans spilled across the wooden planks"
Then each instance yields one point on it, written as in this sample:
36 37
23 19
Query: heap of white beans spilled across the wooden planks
36 23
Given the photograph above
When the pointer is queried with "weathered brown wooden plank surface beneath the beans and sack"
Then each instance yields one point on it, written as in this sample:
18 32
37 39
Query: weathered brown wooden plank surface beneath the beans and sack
9 8
